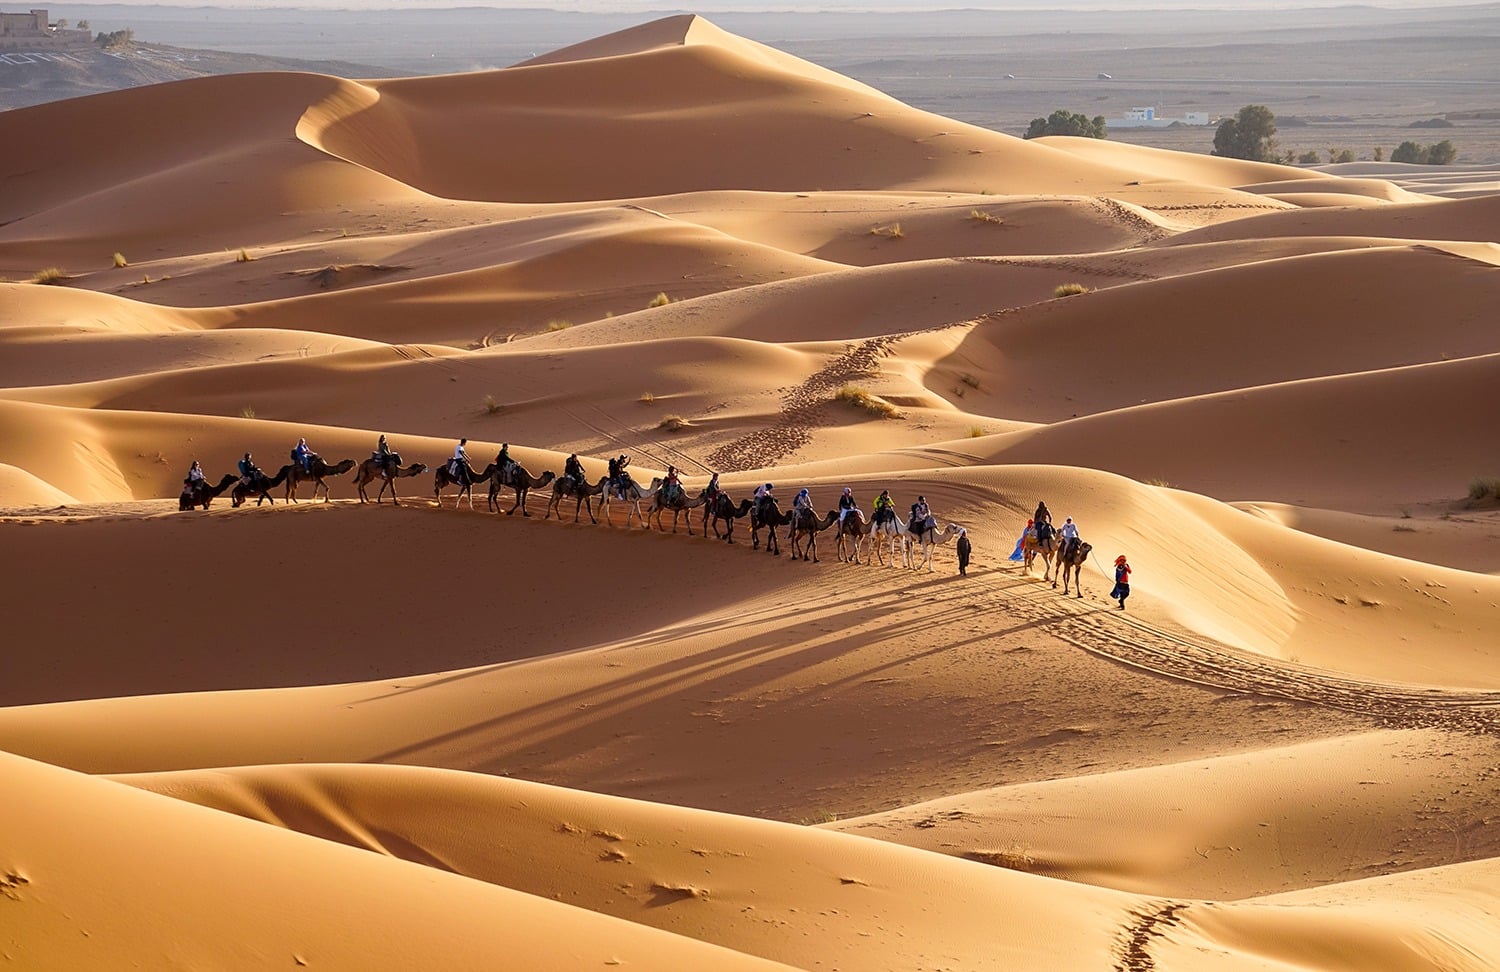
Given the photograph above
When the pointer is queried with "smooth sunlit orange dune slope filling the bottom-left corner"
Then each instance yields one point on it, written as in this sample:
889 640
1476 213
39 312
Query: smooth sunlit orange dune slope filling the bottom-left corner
100 875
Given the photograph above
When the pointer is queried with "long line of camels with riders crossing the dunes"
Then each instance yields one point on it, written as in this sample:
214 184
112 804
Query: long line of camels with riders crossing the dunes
883 536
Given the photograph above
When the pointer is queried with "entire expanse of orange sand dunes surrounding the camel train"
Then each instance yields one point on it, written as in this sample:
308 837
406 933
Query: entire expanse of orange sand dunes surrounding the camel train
500 734
